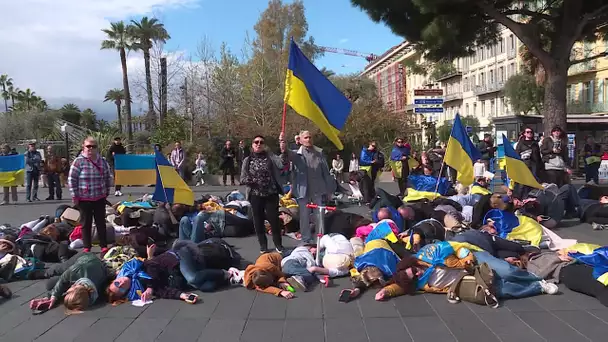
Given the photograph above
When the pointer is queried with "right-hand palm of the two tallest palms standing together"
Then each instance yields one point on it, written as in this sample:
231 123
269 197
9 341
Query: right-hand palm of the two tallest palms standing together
146 32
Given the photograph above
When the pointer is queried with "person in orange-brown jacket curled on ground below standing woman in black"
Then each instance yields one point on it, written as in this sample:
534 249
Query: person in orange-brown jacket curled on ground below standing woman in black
266 276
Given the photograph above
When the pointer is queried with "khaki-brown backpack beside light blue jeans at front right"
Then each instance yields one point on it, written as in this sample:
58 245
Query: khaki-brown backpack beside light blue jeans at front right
476 288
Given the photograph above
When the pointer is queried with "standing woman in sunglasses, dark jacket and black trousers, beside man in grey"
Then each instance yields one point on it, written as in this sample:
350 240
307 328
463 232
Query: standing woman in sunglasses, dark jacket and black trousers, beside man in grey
261 173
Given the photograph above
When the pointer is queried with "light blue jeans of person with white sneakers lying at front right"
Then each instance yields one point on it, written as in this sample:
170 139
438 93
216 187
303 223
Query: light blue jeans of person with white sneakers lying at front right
510 281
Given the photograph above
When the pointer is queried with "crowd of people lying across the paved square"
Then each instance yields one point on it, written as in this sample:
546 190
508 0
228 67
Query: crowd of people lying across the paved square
452 244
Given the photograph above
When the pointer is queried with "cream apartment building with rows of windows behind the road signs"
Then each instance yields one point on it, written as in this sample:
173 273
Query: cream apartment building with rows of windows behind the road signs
474 86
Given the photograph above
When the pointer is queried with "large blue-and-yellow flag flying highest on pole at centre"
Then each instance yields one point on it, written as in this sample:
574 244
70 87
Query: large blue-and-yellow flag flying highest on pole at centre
313 96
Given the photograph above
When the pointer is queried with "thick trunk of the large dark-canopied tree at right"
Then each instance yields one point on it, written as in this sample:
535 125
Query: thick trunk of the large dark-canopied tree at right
554 105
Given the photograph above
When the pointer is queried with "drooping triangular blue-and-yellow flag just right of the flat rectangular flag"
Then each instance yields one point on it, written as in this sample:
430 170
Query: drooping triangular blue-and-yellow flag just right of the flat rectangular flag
170 187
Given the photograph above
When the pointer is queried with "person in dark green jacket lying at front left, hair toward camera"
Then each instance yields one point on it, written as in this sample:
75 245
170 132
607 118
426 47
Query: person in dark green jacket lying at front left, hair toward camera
78 286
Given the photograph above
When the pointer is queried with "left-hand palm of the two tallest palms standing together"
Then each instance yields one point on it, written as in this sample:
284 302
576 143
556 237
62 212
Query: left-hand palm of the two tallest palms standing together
119 38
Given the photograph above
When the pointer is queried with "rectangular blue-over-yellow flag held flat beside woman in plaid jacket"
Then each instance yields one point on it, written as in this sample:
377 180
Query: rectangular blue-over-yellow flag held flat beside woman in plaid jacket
132 169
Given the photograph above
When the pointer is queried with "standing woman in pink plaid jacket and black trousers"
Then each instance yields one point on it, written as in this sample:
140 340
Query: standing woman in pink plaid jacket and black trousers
90 181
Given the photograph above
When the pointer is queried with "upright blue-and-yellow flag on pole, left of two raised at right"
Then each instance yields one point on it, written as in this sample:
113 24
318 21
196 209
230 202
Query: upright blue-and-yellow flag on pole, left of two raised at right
461 153
